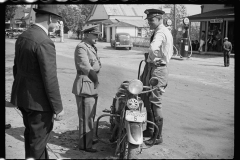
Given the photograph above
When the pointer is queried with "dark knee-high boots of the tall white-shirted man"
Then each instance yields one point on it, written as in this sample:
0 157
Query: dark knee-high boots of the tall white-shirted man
159 140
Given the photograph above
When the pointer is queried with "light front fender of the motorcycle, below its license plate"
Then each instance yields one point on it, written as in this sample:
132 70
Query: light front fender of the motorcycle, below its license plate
134 132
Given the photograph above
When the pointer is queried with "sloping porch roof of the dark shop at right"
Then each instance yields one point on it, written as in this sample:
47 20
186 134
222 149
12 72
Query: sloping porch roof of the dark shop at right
219 13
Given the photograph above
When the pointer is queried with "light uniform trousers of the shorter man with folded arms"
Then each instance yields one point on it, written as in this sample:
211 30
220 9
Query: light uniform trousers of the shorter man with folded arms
86 113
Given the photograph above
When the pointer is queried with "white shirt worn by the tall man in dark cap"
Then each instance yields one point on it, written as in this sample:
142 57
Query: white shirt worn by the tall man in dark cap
162 43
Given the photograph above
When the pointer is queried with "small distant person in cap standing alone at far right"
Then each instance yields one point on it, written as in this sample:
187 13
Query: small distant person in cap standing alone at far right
227 48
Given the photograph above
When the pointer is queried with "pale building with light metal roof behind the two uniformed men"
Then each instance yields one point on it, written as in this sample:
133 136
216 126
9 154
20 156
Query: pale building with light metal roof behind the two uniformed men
118 18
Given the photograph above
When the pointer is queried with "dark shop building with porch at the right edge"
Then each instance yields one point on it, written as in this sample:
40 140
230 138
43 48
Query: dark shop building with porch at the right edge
215 17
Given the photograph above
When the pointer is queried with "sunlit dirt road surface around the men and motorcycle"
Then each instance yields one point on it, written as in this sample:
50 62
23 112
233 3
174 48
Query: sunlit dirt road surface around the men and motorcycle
198 103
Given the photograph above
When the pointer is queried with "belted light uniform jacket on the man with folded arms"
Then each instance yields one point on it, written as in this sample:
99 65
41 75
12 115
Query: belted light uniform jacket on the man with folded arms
86 59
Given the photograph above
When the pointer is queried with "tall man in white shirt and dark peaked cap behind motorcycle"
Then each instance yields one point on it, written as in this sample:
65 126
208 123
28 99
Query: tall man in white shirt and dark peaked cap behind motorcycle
160 52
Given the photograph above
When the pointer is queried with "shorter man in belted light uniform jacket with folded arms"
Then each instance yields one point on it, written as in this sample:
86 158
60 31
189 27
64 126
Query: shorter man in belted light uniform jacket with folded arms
85 86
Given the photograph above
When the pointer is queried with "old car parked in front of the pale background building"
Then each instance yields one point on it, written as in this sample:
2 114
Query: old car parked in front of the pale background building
122 40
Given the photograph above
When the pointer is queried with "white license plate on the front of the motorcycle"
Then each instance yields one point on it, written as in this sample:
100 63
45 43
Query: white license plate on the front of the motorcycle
135 116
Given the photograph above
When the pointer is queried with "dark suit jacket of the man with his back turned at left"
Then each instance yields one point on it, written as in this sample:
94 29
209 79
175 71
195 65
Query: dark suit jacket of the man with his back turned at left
35 83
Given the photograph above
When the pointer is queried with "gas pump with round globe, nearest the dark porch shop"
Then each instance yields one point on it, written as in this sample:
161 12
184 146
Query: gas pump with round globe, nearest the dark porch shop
184 47
